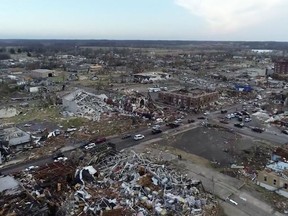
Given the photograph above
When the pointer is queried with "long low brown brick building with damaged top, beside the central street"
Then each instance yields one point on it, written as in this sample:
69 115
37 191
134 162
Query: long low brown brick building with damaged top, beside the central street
195 99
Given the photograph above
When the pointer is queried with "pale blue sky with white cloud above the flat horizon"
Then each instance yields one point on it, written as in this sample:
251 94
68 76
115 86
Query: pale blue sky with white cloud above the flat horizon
145 19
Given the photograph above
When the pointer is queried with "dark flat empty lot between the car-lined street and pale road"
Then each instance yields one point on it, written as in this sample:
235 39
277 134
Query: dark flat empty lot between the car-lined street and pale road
214 144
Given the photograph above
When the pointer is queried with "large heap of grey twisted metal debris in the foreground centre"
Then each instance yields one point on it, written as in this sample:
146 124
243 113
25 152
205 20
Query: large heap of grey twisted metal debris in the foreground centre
134 185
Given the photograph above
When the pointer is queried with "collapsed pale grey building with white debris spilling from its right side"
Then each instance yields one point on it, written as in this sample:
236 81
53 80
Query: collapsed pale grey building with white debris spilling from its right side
85 104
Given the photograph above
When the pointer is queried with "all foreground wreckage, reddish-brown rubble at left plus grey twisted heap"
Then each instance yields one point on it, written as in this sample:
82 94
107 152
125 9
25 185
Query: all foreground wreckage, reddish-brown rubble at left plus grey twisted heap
124 184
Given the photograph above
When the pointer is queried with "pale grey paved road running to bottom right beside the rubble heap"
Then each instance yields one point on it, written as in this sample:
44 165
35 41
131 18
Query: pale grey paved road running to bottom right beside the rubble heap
226 187
